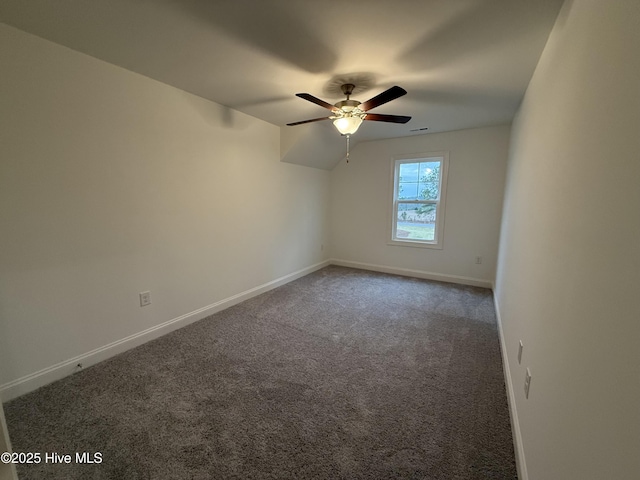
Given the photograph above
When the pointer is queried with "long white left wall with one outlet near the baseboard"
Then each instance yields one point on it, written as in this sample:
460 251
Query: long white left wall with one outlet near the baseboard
112 184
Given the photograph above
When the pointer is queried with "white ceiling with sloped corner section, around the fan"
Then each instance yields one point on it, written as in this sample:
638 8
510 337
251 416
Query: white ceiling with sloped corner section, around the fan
464 63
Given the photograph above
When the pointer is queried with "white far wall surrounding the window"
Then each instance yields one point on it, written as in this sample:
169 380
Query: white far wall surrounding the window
361 202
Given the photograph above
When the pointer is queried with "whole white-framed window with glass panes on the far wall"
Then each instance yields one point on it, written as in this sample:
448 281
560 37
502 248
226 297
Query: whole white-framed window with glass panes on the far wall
419 187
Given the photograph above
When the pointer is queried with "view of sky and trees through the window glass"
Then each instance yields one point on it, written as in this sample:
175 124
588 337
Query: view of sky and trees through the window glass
418 189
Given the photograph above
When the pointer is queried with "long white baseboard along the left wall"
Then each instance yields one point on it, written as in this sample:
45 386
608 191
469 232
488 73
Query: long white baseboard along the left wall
50 374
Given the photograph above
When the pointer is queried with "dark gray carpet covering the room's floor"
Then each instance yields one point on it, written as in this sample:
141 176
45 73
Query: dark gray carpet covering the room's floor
342 374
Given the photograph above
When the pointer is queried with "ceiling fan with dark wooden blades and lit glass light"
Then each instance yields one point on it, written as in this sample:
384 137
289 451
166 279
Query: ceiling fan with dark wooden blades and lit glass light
347 115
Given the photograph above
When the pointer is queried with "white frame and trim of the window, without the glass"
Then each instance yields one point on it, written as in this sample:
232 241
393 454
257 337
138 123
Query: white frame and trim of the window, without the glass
396 161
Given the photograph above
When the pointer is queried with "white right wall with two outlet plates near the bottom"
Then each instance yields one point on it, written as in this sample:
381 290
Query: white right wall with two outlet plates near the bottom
569 268
